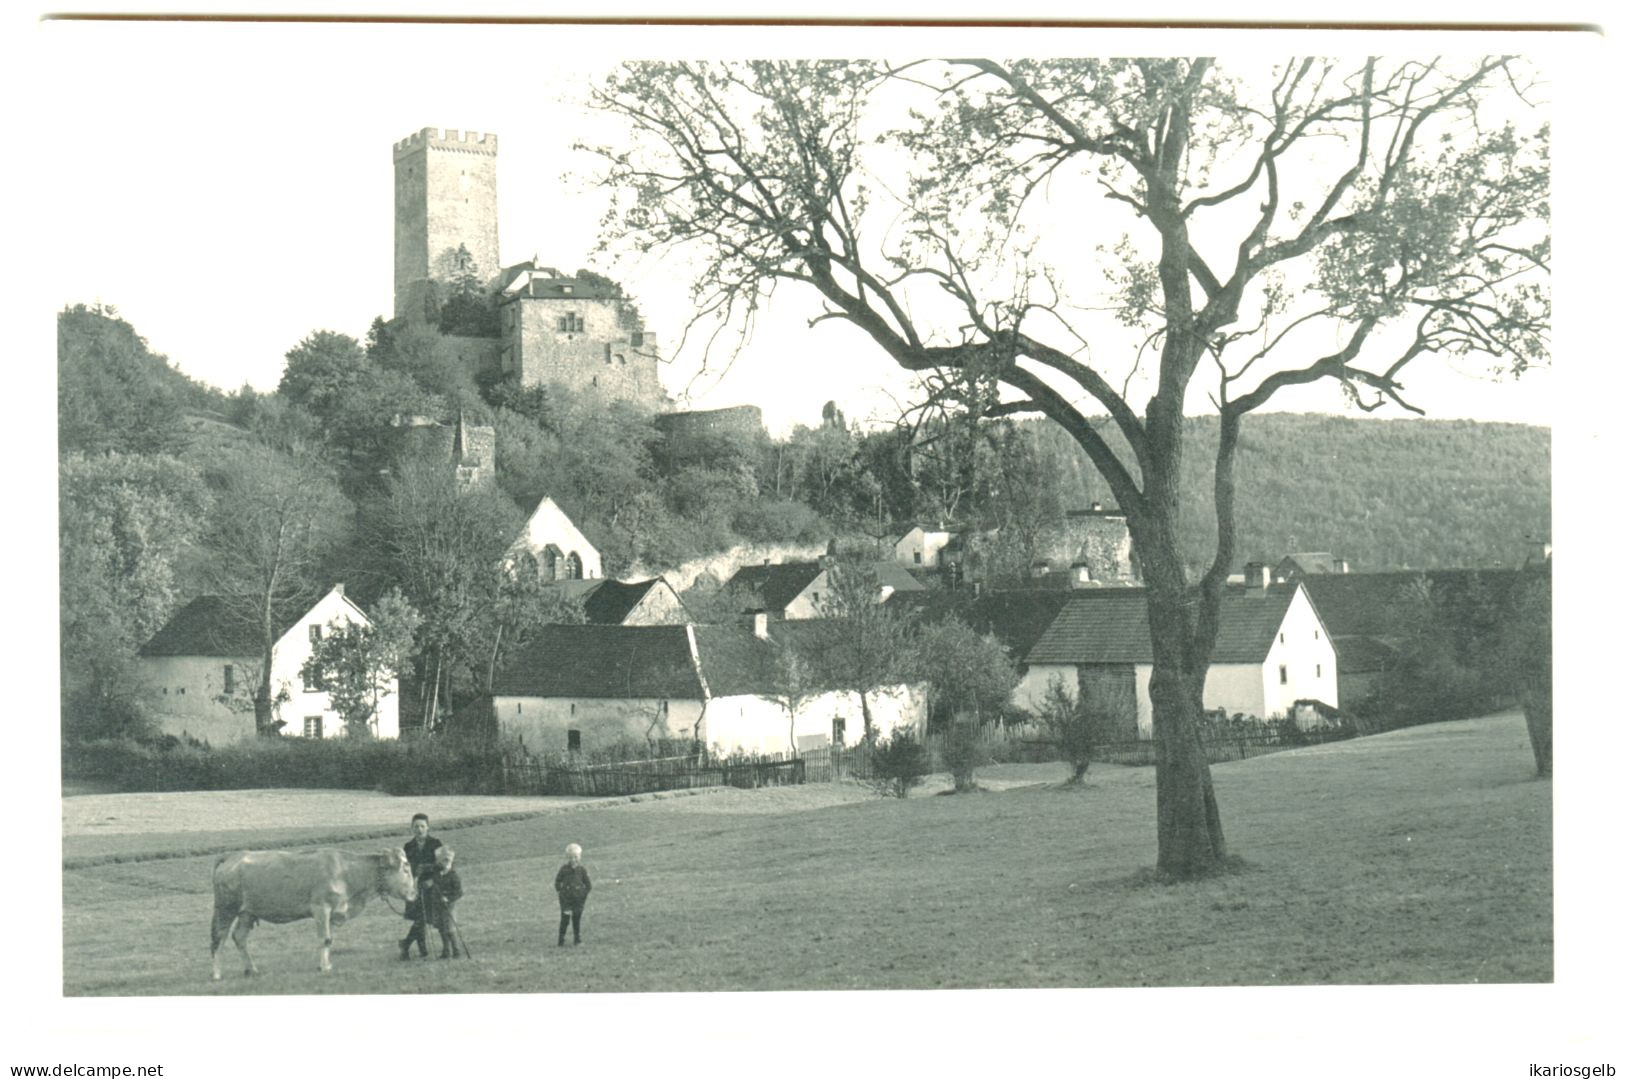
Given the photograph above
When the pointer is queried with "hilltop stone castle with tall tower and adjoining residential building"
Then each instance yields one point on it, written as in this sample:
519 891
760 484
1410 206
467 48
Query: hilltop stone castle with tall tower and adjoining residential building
579 332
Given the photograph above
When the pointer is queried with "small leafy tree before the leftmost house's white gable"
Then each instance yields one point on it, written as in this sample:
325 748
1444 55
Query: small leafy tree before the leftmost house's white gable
357 662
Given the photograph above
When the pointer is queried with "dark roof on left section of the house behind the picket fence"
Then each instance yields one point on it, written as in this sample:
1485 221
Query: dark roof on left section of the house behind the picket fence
617 662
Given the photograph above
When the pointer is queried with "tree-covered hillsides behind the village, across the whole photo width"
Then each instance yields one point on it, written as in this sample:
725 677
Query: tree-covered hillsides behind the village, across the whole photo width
167 485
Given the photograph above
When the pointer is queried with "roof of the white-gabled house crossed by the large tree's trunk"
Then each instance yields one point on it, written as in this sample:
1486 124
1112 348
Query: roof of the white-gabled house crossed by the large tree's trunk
1111 626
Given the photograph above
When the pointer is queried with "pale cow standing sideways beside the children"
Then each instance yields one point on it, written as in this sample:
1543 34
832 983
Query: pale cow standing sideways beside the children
277 886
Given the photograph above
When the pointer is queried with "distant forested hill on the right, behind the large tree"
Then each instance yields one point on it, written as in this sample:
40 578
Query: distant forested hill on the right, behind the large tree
1382 493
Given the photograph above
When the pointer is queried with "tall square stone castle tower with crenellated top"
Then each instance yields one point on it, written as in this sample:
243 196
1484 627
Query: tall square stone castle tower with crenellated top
446 197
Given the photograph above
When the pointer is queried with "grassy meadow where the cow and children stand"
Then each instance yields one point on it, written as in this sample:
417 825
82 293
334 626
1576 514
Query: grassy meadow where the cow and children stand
1415 857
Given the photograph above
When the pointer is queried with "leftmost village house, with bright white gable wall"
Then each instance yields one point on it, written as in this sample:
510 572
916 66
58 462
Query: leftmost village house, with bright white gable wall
202 670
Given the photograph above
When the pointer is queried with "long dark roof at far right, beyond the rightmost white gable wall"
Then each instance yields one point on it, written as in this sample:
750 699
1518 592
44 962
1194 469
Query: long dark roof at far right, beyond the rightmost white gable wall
1384 605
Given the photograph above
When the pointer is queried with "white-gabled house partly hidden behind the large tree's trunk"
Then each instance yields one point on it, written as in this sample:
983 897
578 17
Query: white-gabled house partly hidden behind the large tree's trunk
1272 651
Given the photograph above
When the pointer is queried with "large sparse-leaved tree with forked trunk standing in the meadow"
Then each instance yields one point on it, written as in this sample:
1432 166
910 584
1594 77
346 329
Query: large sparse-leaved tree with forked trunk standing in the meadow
1250 230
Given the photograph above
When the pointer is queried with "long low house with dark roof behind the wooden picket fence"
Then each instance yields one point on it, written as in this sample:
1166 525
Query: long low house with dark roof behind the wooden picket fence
583 688
